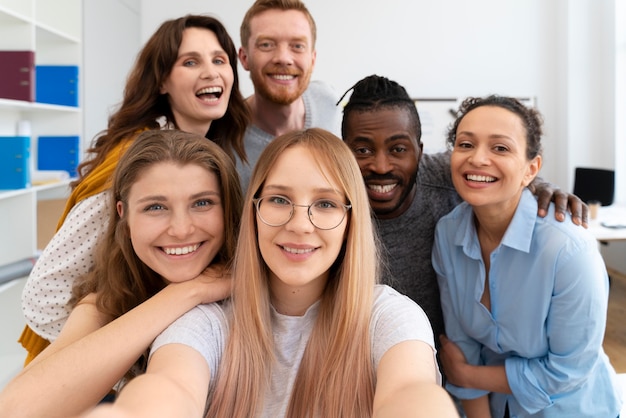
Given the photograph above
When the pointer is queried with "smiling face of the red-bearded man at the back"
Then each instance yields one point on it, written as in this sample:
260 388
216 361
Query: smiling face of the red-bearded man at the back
280 55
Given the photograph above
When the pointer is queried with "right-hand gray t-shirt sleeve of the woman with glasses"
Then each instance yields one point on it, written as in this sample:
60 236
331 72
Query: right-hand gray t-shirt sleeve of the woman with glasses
395 319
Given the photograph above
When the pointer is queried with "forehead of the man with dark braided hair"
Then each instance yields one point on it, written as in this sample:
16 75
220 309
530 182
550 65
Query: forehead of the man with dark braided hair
381 123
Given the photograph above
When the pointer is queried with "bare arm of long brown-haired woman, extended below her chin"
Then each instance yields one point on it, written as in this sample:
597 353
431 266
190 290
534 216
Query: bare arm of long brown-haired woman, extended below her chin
89 357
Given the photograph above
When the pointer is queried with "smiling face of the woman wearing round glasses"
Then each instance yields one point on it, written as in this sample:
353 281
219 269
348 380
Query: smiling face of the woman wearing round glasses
298 254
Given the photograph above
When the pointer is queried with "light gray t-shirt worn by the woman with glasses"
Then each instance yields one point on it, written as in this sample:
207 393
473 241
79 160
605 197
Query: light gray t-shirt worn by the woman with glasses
395 318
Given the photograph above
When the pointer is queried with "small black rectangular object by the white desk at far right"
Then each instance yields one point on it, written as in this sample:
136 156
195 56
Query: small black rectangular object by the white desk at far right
595 184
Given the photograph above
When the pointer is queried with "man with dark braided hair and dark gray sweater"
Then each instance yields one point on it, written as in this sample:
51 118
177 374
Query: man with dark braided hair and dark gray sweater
409 191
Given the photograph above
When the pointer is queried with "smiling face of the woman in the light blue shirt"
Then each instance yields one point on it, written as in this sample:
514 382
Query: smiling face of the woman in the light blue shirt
489 162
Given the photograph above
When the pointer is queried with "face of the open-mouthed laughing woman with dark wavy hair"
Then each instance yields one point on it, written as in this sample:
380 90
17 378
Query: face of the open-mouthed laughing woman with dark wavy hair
200 82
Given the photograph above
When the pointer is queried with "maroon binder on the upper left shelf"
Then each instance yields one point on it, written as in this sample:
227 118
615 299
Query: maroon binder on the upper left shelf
17 75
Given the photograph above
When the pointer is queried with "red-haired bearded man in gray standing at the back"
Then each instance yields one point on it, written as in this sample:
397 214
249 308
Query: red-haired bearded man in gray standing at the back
278 49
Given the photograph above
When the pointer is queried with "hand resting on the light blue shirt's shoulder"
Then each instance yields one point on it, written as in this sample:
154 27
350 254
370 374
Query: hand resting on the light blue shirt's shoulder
547 192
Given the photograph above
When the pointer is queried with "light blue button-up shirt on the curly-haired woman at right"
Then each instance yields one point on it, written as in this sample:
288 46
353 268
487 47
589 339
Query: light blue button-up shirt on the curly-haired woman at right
549 293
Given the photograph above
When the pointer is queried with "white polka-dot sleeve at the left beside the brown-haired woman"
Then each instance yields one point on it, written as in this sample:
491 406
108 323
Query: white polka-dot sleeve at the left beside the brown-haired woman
68 255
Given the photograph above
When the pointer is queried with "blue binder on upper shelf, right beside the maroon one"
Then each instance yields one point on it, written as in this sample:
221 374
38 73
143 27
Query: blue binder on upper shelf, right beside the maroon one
56 84
